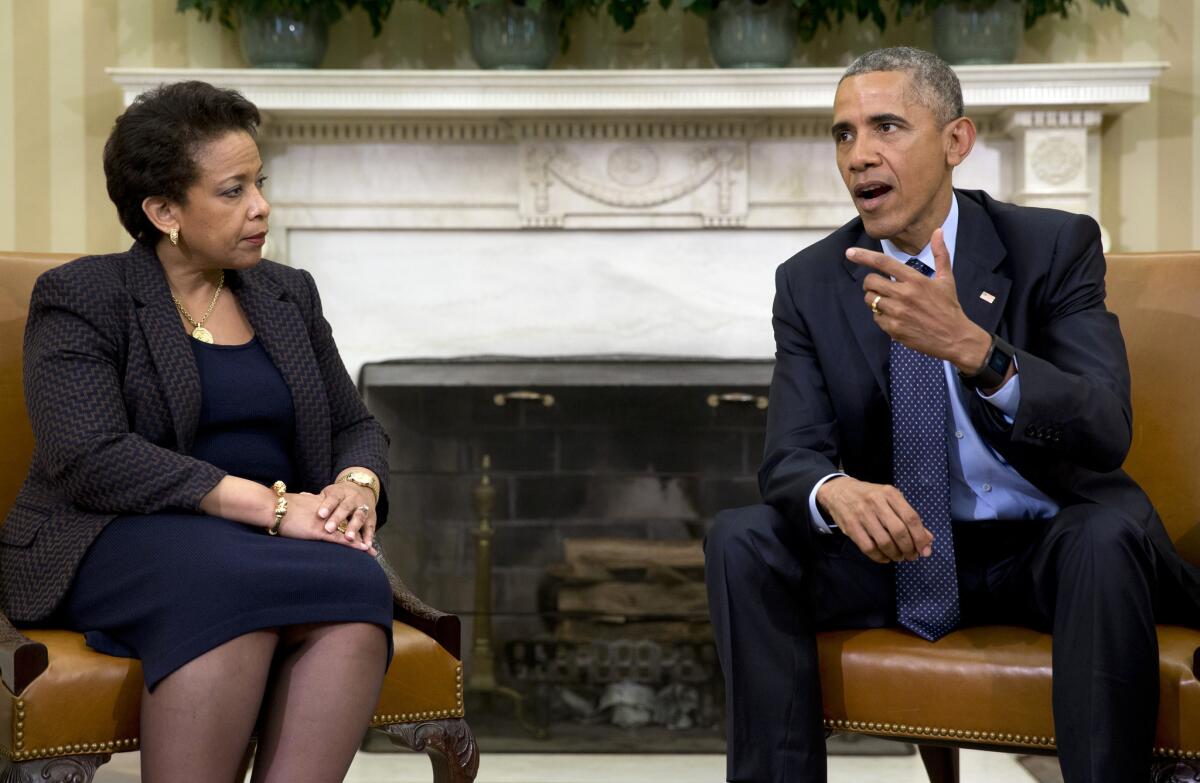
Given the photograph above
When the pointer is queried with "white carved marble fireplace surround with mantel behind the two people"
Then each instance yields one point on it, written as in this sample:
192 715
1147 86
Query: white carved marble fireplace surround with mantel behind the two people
603 213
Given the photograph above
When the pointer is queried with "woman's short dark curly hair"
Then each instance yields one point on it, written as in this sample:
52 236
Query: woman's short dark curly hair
152 151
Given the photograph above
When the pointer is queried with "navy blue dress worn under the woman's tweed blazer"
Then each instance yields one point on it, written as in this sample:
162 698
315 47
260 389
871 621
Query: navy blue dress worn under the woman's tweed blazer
167 588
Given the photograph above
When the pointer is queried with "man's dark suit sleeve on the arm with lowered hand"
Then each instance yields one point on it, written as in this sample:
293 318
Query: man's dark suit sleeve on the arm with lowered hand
802 433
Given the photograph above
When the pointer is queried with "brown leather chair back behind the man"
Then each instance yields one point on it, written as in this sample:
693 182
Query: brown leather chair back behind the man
1157 297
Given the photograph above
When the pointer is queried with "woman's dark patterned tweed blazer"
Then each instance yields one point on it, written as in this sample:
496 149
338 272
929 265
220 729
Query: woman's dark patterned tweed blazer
115 398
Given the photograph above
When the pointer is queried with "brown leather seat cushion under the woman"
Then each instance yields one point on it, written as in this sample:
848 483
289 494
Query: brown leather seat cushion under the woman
88 703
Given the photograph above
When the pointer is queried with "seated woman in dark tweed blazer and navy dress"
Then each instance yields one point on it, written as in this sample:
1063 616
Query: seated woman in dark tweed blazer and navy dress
146 516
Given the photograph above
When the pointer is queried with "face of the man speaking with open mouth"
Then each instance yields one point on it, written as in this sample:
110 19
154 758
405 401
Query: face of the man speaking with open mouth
895 158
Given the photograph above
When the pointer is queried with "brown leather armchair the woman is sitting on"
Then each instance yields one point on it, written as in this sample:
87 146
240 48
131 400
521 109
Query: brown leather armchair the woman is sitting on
65 710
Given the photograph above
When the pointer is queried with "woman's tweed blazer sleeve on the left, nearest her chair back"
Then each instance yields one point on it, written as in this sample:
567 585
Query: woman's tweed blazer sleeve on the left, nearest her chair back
74 376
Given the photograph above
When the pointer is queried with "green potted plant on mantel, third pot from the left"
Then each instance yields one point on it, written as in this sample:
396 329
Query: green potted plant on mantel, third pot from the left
747 34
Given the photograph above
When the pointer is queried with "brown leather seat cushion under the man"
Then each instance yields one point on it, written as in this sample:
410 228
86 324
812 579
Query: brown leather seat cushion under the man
986 686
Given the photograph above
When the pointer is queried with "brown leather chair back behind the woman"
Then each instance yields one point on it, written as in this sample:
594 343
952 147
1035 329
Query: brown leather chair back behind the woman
17 276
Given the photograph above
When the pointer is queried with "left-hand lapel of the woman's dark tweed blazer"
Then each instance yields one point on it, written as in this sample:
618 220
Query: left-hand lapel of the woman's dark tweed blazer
167 342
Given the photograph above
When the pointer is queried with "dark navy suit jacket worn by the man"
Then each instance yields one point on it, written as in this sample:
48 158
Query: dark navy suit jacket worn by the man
830 405
